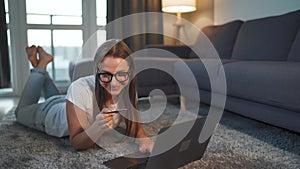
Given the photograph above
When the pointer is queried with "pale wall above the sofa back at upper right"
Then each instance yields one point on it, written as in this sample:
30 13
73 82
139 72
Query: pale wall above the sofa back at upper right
228 10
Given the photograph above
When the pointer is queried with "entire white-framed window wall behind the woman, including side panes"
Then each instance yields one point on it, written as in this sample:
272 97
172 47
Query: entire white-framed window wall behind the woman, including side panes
61 27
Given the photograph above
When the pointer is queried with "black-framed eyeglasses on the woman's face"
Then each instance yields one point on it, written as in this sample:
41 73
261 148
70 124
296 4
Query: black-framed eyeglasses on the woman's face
107 77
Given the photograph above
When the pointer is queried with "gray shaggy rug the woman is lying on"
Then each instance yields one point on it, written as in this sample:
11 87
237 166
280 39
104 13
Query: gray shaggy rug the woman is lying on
237 142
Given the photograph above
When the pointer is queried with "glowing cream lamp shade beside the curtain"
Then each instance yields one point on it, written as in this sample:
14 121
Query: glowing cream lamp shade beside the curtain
182 6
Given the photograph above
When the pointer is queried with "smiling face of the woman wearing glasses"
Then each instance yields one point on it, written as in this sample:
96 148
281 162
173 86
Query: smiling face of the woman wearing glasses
112 66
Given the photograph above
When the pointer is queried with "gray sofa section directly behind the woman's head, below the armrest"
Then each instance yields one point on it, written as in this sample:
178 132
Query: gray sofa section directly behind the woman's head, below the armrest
149 77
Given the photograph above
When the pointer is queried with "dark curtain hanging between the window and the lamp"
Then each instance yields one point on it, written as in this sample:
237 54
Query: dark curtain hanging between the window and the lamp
121 8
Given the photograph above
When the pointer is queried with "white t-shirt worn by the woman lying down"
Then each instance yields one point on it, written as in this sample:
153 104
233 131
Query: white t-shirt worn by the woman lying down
82 94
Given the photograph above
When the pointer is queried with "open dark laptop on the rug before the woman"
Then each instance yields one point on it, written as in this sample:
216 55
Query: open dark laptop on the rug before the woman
184 152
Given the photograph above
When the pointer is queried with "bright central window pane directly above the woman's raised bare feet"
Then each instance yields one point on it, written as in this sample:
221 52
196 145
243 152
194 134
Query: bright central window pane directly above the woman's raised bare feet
45 19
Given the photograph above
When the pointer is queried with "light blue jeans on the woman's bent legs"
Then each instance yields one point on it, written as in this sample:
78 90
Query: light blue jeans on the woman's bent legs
29 112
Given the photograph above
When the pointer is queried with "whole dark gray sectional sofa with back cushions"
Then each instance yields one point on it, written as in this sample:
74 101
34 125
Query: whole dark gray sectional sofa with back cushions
261 60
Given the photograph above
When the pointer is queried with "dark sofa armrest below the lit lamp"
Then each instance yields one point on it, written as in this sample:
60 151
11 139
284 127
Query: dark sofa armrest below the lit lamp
181 51
